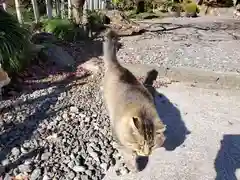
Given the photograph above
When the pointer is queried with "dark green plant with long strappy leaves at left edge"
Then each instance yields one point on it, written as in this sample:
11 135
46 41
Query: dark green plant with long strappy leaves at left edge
14 43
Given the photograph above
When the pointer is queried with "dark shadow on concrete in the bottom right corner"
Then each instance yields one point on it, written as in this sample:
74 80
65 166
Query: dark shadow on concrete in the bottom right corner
228 158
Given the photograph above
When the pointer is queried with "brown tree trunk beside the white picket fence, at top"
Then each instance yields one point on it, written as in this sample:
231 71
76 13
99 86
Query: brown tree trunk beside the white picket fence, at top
78 10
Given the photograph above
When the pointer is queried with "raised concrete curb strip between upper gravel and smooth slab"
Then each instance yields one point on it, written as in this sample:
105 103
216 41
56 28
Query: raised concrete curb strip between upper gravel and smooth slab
190 75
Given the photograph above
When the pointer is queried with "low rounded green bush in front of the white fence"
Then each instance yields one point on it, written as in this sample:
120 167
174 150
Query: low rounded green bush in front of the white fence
61 28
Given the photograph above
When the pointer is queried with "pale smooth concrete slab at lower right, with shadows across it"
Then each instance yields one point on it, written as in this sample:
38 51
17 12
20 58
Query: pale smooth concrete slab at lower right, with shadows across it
213 146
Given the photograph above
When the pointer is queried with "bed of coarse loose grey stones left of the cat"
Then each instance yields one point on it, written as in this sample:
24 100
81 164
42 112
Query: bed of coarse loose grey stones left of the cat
67 128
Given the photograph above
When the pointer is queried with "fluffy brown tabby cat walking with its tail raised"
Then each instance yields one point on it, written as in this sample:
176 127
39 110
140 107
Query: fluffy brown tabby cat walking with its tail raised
134 119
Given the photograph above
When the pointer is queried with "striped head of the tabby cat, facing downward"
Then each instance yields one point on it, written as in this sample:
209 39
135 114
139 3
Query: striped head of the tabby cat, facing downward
145 134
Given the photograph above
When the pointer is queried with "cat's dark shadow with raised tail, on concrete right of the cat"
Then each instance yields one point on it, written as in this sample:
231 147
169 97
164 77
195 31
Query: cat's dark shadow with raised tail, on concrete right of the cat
170 115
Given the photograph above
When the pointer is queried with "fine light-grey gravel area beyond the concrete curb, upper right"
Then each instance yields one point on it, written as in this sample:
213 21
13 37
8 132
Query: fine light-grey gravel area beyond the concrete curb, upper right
206 45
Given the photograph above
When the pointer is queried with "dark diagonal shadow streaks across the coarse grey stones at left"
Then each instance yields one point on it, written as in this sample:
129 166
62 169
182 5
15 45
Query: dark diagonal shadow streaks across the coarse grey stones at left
15 134
